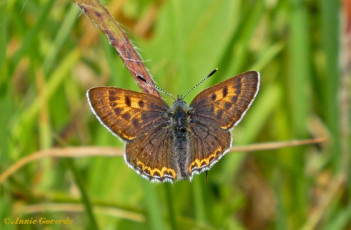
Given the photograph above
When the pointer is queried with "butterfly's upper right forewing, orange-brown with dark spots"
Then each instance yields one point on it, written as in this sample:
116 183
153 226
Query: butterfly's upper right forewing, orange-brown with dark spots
224 104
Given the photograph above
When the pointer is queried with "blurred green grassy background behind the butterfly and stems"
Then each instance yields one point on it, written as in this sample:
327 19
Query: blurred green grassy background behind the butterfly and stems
51 53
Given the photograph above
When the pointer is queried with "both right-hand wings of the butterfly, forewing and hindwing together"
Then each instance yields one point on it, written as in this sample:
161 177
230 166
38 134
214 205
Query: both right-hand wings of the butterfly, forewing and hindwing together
216 110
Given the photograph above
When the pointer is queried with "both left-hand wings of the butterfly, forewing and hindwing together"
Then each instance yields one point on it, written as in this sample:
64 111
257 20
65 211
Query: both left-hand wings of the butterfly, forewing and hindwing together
139 119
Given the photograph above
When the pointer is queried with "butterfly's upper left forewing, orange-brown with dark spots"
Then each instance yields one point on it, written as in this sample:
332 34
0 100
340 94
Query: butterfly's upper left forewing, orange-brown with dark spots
126 113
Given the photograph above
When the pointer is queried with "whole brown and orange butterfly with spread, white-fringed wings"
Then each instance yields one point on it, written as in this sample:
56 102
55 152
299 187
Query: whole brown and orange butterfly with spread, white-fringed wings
166 143
